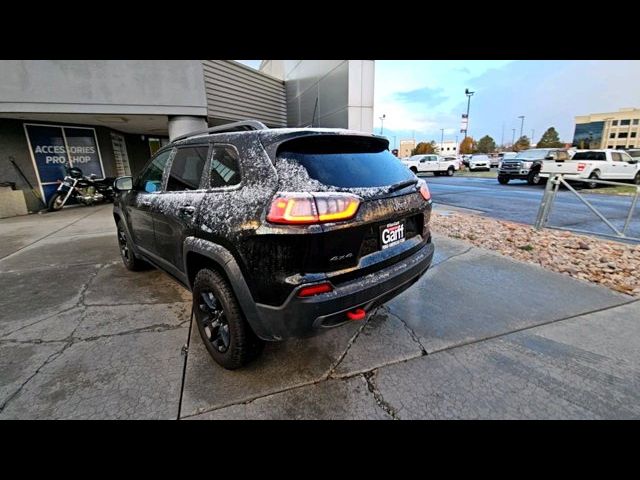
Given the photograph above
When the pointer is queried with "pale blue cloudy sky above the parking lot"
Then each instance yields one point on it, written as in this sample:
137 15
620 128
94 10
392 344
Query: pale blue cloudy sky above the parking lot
421 97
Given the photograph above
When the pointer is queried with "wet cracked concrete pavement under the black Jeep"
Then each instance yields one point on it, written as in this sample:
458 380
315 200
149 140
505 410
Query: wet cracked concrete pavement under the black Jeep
480 336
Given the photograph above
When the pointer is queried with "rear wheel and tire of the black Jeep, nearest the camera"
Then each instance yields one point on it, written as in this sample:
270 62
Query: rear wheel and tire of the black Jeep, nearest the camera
215 302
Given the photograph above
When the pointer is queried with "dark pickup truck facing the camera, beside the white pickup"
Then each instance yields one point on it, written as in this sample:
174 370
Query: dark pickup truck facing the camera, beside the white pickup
526 165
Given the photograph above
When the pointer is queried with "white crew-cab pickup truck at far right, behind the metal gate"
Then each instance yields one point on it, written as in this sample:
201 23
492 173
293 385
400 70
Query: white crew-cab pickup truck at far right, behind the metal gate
597 165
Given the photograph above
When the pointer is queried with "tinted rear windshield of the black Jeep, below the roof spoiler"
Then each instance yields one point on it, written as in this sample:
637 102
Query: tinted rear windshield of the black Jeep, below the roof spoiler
345 162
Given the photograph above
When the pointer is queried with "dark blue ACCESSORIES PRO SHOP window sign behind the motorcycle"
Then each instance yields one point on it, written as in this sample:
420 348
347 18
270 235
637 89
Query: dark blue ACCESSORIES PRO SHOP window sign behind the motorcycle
55 148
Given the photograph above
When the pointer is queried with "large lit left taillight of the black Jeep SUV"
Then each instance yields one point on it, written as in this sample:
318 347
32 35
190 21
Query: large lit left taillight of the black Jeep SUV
305 208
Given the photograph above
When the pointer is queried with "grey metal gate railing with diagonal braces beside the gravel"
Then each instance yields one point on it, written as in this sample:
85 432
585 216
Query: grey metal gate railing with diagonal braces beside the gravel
551 191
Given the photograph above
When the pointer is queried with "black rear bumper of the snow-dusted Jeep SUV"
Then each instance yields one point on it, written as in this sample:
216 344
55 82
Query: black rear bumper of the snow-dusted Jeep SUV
303 317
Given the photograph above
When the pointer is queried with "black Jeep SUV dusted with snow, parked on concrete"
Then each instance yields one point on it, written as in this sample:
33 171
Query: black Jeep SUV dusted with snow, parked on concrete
277 232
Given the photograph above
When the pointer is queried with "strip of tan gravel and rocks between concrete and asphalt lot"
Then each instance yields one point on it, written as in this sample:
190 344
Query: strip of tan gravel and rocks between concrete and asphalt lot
612 264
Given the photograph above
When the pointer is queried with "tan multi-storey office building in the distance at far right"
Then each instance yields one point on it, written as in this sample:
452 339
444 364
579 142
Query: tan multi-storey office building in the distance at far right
619 130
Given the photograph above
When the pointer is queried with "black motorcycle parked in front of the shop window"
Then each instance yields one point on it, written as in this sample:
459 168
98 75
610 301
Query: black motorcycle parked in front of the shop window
85 190
